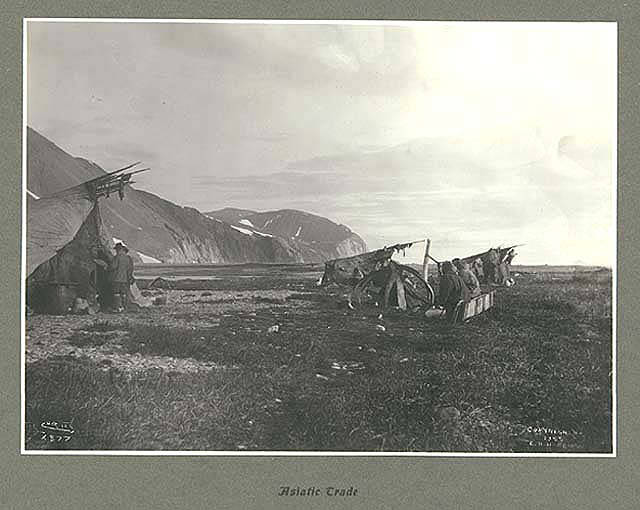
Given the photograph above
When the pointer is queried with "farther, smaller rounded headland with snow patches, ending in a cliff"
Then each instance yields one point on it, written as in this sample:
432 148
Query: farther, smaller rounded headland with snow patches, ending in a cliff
320 238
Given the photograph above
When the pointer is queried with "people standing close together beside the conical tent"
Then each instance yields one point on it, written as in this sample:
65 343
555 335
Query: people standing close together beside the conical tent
113 277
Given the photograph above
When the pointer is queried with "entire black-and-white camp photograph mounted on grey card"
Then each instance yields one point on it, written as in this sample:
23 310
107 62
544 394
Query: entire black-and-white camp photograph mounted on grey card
359 238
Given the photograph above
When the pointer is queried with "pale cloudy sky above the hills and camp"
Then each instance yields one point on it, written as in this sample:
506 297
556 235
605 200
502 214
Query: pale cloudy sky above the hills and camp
474 134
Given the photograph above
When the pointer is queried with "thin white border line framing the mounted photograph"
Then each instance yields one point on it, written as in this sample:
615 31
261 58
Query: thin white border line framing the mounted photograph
296 453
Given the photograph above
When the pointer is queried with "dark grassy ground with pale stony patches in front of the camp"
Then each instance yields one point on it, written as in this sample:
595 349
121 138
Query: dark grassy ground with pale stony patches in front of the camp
204 372
